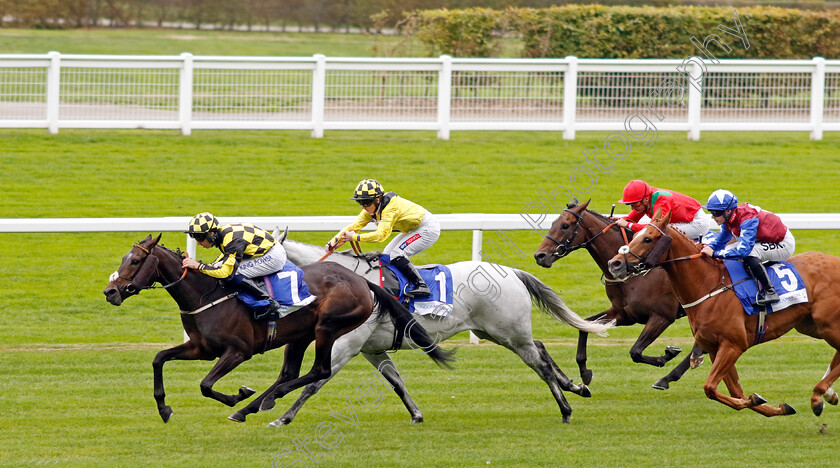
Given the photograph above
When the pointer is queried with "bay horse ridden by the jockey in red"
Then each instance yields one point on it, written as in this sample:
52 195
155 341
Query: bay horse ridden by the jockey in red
646 299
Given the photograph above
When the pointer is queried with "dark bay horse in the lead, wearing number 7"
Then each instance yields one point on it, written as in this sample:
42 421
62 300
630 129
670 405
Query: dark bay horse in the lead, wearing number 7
219 326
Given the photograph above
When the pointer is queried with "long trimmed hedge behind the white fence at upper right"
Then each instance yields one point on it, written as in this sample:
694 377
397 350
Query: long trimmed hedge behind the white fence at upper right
595 31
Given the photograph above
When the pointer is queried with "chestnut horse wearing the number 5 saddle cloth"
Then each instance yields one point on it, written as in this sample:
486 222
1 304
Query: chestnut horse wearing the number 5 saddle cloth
719 323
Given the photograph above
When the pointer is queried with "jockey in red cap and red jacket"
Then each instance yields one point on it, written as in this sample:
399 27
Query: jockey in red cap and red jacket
643 199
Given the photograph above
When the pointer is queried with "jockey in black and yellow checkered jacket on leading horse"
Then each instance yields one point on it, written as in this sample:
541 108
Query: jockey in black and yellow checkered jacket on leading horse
247 252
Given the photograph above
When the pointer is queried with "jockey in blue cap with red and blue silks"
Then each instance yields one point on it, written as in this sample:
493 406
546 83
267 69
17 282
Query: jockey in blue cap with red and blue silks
762 237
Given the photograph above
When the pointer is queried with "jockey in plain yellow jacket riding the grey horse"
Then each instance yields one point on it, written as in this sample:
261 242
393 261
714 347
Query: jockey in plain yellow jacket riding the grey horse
418 229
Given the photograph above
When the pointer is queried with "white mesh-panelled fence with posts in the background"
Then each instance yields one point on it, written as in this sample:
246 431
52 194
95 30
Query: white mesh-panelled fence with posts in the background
442 94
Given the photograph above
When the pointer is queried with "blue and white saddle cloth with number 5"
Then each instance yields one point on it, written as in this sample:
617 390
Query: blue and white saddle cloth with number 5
785 279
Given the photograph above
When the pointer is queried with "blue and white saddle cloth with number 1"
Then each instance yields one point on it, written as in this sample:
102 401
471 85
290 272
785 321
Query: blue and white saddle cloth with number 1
437 277
